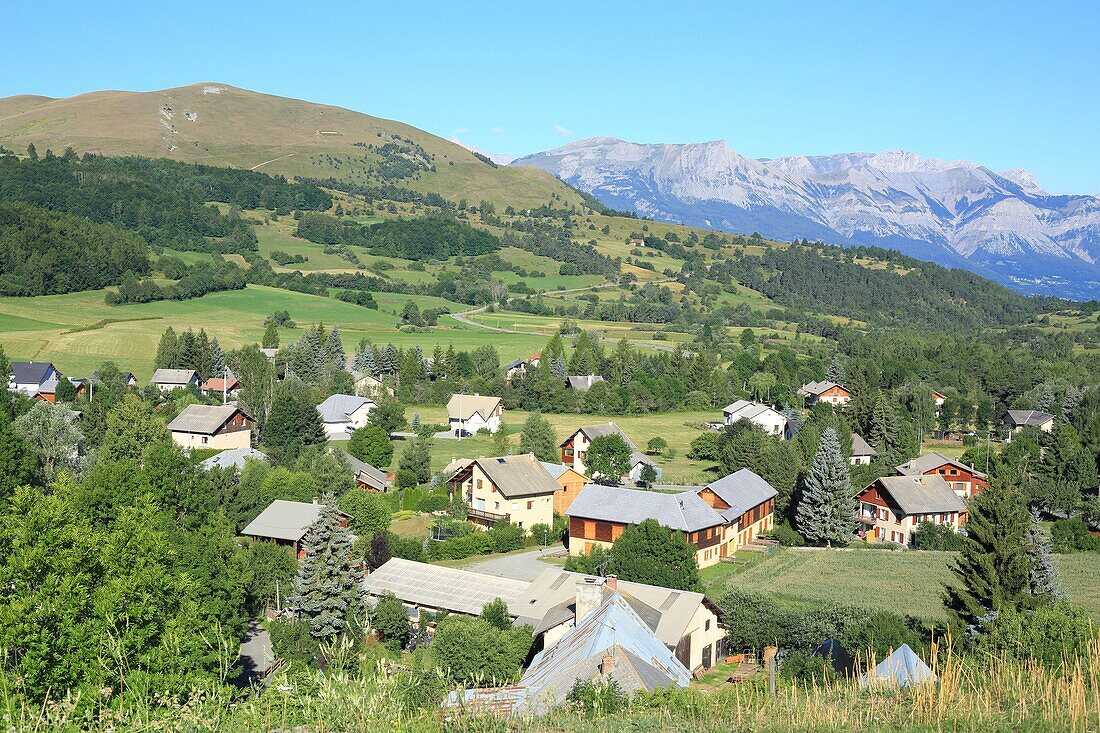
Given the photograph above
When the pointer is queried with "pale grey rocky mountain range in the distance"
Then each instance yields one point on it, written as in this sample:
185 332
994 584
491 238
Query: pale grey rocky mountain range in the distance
955 213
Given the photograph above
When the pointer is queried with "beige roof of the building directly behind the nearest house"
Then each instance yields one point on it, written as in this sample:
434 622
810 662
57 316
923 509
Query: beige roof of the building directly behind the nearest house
551 599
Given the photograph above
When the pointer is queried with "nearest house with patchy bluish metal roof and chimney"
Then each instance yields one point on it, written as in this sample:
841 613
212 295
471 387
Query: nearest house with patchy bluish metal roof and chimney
609 643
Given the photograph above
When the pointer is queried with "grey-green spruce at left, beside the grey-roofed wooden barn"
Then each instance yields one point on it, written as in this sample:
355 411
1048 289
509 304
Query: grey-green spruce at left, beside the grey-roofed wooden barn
326 588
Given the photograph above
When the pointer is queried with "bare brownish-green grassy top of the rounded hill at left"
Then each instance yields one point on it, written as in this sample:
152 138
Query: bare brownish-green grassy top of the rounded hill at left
221 125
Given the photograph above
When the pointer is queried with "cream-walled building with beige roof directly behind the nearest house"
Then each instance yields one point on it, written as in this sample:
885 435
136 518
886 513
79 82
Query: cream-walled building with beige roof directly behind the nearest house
687 623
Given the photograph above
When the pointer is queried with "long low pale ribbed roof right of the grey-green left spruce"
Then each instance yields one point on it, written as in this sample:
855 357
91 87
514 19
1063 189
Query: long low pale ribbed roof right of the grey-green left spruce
434 586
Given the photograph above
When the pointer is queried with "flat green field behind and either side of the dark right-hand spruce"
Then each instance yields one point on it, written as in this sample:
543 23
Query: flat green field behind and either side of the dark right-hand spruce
903 582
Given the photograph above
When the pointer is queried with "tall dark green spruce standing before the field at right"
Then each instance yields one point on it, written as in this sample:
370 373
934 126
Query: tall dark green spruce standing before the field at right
994 568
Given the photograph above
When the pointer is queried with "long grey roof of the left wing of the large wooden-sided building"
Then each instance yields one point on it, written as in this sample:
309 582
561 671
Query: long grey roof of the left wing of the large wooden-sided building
685 511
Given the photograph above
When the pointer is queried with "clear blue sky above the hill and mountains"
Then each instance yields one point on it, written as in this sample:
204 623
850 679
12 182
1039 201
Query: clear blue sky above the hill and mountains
1006 85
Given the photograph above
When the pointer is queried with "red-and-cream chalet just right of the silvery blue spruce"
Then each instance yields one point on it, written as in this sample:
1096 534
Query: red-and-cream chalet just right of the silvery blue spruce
894 507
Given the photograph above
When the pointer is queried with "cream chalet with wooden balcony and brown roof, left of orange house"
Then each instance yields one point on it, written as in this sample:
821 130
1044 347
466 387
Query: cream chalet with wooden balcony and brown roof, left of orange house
513 489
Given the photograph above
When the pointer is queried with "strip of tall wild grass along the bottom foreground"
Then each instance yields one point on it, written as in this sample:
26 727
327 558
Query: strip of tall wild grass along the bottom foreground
971 695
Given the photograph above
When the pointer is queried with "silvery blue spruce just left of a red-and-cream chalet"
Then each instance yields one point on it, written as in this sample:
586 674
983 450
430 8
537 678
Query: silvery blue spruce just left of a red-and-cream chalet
828 509
